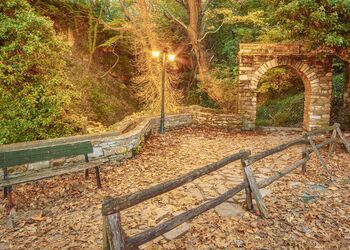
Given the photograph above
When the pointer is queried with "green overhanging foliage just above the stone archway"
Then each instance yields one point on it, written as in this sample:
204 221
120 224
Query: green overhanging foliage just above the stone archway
319 23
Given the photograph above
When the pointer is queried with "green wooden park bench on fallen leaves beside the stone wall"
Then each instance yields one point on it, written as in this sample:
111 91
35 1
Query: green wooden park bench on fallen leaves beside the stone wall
12 155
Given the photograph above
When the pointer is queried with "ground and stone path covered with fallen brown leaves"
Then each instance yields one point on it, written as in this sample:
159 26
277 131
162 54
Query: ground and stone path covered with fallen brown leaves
305 210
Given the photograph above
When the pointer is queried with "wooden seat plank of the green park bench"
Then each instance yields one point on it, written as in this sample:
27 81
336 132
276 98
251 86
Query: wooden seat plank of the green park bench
47 173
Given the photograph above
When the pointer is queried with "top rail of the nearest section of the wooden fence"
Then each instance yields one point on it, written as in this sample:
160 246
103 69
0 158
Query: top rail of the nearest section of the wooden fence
116 204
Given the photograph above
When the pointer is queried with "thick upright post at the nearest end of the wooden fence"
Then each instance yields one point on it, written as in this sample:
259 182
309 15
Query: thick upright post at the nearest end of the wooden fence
114 232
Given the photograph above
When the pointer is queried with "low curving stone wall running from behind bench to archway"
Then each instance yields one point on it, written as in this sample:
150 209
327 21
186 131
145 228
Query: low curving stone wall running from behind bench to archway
111 147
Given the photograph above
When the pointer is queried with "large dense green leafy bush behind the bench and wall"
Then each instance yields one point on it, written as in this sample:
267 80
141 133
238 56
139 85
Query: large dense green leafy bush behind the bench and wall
35 94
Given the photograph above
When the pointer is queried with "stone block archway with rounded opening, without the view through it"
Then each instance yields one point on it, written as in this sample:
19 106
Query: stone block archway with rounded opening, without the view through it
316 72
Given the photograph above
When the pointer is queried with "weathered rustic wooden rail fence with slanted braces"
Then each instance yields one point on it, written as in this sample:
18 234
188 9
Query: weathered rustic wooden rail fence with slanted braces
115 238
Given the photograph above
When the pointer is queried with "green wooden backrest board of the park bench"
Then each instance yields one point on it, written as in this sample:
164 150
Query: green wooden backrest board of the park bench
24 156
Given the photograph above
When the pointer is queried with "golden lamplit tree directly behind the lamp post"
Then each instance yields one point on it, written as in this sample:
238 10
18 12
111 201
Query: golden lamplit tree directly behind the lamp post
139 23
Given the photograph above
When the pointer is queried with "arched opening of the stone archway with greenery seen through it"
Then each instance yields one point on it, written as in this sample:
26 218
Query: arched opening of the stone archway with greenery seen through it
280 98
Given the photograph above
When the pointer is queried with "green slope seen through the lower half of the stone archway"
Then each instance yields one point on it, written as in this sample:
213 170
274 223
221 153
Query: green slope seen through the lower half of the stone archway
286 111
